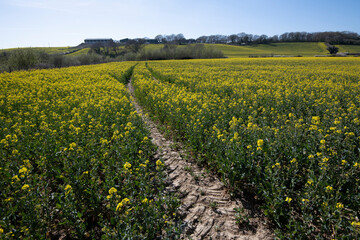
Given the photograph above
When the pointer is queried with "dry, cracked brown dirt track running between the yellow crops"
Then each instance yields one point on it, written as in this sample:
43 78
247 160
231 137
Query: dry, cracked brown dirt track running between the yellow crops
206 207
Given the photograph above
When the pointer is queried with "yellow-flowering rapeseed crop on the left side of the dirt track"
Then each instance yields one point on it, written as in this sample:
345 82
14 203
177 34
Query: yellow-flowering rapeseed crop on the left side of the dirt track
76 159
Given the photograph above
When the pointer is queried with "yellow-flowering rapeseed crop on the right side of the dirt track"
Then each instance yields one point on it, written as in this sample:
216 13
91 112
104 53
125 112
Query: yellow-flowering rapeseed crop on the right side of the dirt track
285 129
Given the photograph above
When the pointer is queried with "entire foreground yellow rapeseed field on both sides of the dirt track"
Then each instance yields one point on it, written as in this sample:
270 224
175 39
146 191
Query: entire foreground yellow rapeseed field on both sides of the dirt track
282 131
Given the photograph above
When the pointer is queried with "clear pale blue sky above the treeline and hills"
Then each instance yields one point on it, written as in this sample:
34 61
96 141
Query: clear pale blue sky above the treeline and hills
44 23
